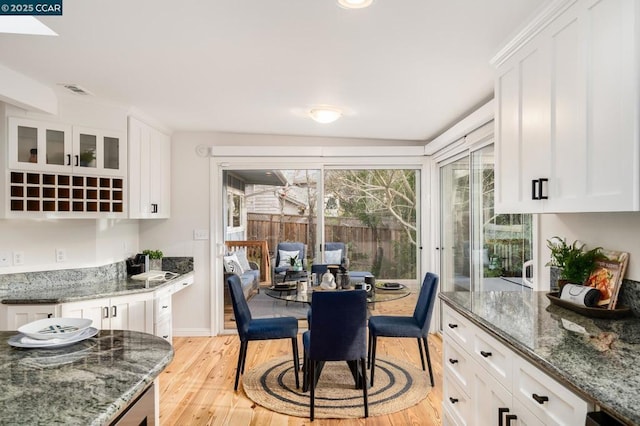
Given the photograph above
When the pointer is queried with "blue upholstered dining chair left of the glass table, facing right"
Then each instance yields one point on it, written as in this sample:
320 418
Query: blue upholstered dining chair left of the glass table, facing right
259 329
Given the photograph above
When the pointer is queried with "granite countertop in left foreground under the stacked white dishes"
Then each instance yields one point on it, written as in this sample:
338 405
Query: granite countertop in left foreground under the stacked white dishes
87 383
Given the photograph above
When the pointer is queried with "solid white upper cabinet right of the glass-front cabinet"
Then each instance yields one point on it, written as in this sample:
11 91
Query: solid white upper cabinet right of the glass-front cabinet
149 172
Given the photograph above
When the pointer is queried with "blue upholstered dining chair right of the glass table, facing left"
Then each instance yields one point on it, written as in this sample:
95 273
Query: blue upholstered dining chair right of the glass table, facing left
401 326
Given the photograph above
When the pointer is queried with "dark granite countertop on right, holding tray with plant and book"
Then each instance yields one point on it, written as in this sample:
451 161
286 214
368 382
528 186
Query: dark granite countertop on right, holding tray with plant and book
597 358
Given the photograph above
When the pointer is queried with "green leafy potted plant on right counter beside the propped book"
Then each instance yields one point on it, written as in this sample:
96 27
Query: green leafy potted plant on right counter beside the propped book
575 264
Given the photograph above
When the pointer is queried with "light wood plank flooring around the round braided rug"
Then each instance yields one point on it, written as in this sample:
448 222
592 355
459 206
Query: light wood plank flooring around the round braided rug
197 387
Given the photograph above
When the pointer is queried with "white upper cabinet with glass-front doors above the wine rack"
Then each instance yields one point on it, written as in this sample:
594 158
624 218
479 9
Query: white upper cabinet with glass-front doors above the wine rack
54 147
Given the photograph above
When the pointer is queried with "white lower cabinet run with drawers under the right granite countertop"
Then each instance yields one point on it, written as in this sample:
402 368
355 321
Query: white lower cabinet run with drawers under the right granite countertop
485 383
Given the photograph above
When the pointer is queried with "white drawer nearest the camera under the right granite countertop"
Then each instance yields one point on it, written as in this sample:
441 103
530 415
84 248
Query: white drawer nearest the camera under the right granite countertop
545 397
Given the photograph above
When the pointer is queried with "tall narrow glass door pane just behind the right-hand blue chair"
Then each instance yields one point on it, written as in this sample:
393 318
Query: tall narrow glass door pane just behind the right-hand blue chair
455 274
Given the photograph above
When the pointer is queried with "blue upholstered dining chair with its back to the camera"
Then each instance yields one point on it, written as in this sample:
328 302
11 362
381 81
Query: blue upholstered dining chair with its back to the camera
337 332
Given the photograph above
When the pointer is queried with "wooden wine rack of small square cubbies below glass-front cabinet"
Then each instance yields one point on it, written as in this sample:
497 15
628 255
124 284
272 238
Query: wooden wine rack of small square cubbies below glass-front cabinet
64 193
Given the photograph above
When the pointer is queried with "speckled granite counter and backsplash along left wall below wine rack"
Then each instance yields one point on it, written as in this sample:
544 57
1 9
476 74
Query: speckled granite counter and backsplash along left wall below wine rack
70 285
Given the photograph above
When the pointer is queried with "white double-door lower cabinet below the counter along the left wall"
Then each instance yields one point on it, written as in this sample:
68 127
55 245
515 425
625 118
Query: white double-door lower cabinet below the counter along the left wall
131 312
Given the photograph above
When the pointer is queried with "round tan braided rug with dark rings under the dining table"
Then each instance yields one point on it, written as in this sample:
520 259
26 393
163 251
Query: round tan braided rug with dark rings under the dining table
398 385
